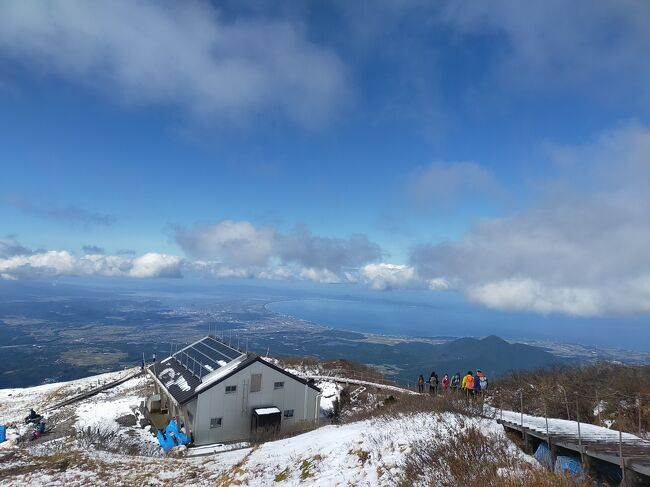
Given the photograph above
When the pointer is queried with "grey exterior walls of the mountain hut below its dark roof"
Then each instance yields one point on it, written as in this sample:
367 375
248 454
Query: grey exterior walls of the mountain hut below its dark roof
236 409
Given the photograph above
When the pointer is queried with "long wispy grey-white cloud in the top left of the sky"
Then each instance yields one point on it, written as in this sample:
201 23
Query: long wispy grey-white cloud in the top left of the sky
186 54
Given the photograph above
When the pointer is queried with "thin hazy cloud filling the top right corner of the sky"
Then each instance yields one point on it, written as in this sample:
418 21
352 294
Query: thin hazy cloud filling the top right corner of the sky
589 46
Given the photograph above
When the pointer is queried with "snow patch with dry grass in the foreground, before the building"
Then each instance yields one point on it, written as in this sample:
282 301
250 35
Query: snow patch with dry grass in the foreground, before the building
368 453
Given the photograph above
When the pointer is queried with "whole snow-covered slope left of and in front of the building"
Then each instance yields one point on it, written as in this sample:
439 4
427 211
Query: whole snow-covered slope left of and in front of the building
370 452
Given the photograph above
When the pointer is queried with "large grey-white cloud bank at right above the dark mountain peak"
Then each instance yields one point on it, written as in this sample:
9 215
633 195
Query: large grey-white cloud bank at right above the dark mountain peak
581 248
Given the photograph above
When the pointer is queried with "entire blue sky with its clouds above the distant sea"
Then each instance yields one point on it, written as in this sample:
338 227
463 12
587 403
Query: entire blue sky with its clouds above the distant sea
494 149
